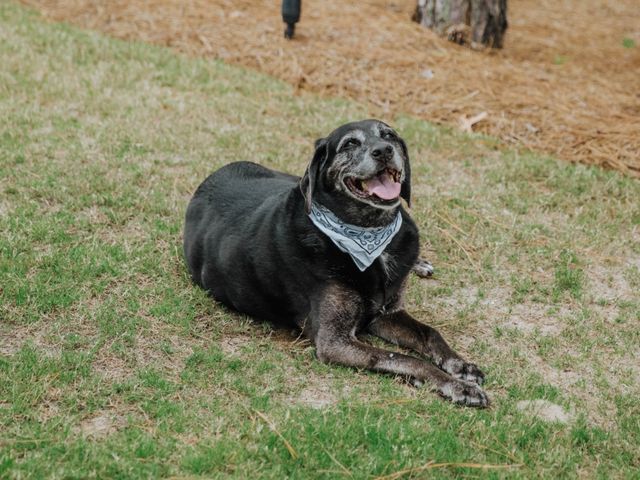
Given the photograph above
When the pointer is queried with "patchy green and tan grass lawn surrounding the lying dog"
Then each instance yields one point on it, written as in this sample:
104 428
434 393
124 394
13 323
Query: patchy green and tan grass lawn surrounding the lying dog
113 365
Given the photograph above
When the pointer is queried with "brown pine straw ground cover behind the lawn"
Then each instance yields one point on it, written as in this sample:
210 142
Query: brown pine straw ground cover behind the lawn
564 83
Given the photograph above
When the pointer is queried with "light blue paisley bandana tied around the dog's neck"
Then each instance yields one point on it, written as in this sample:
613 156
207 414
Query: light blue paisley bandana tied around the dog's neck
362 244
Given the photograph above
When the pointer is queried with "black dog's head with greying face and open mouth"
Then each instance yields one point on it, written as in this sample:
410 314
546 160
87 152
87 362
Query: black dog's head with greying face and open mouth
360 170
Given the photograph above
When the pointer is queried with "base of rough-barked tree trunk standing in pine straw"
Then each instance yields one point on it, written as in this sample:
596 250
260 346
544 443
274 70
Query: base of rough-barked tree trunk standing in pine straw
480 23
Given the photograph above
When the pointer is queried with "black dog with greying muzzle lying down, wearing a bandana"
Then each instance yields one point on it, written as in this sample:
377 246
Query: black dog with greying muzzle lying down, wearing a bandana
328 253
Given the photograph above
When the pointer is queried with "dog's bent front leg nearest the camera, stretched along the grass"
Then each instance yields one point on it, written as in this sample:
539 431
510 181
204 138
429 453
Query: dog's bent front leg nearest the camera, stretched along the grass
336 318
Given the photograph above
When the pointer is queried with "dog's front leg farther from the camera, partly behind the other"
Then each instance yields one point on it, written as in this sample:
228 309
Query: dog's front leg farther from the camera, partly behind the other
402 329
